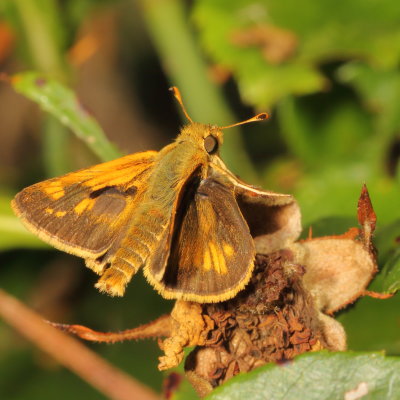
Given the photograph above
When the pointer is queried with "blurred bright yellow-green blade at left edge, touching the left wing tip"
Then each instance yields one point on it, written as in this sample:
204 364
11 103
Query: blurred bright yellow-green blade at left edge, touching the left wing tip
12 232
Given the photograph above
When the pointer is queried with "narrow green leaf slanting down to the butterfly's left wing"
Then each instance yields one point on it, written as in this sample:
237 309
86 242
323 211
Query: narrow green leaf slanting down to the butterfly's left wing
62 103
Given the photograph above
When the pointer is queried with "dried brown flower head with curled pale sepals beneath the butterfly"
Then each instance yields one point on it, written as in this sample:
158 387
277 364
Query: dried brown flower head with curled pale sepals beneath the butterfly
285 310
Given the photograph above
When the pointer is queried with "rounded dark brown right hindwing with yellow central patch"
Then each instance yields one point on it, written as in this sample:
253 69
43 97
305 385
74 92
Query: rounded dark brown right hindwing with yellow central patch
212 252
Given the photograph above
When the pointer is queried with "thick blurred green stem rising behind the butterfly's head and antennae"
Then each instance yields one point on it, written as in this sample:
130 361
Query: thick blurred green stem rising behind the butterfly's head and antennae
184 64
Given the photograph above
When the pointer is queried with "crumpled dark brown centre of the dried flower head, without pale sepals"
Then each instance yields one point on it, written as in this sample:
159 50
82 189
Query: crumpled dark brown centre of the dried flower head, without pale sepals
273 319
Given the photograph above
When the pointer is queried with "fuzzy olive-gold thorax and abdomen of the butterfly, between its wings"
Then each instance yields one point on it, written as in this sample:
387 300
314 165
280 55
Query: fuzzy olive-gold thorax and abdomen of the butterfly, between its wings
177 166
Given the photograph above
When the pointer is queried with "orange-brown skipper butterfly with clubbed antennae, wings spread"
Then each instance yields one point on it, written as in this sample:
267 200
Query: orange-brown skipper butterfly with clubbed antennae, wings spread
175 213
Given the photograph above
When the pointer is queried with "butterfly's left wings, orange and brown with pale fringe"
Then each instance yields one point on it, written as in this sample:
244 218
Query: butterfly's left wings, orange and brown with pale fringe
85 212
